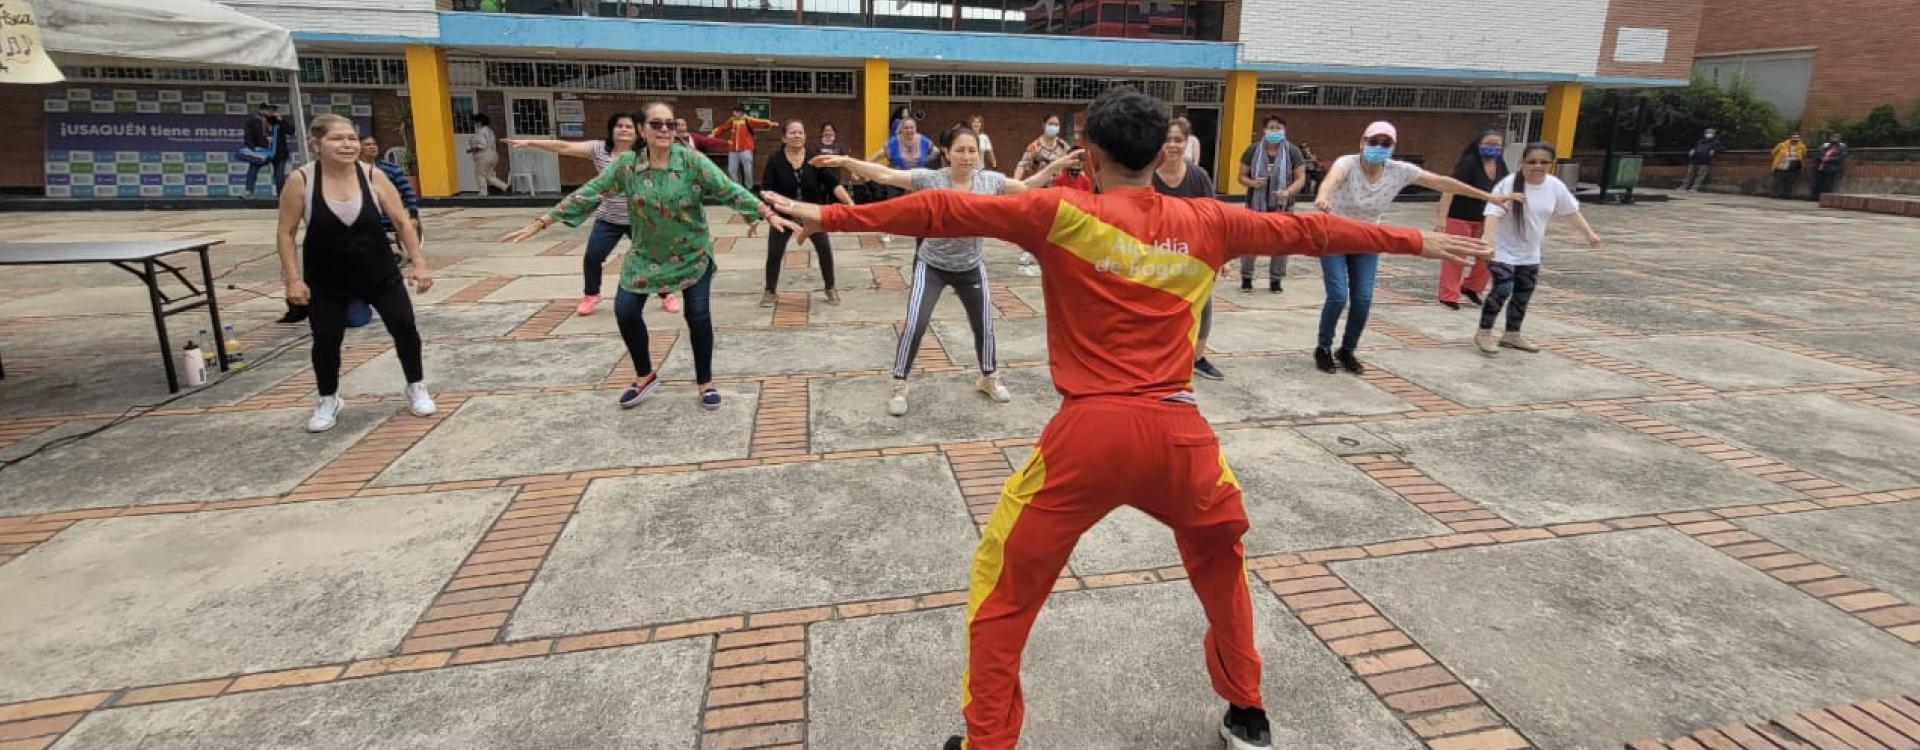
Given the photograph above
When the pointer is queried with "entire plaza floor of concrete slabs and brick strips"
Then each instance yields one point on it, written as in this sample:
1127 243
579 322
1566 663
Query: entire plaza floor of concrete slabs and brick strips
1689 523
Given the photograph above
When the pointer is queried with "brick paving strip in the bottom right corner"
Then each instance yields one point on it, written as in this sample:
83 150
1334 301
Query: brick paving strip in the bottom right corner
1888 724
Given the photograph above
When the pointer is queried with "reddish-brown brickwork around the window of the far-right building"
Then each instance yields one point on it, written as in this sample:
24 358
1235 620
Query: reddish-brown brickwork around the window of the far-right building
1860 62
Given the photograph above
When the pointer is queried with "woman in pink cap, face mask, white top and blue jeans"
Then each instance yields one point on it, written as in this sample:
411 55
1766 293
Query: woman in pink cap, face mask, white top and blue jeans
1362 187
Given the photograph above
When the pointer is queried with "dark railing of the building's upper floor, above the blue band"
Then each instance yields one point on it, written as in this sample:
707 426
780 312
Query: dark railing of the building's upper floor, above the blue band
1166 20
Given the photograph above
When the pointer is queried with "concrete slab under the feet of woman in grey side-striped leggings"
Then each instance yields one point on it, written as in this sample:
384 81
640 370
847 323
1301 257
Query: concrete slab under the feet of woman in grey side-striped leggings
852 413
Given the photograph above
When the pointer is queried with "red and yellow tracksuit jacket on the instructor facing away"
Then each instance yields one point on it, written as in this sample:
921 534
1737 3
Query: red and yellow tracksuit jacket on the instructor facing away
1126 271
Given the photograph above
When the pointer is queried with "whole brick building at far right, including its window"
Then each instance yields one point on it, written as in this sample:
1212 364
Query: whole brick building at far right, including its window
1815 64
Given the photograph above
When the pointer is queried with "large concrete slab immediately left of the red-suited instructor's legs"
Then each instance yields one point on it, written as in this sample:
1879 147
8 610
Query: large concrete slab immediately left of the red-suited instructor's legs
698 546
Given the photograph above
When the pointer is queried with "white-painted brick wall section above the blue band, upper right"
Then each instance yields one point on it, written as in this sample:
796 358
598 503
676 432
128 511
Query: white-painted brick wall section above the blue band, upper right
1543 35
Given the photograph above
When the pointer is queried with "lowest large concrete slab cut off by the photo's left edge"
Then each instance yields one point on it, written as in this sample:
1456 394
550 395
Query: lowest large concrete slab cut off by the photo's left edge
141 601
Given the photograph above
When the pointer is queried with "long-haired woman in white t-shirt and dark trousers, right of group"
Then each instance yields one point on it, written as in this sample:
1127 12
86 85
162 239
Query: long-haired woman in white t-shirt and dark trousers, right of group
1516 266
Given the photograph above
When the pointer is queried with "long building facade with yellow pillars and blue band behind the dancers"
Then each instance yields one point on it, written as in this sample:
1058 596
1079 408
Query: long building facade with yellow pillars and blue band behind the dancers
420 70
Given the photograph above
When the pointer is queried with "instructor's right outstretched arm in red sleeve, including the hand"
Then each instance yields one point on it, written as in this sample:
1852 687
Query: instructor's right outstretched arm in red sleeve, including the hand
1249 233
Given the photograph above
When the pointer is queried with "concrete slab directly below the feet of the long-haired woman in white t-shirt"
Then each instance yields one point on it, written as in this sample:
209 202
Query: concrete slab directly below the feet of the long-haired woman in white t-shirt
1508 379
